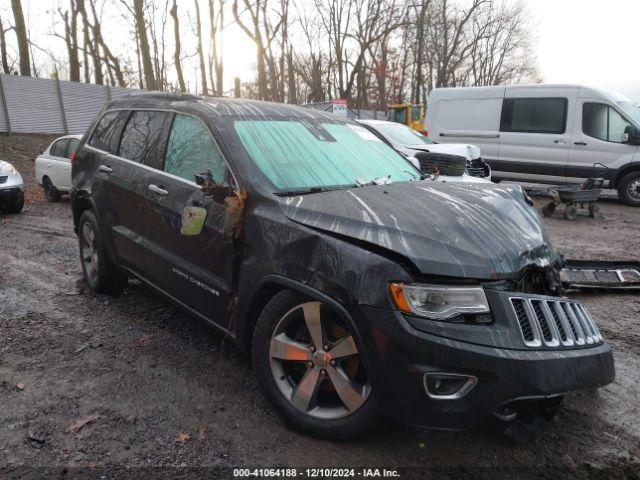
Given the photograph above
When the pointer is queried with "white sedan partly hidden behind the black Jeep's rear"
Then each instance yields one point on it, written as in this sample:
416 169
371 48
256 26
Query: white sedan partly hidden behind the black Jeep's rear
53 166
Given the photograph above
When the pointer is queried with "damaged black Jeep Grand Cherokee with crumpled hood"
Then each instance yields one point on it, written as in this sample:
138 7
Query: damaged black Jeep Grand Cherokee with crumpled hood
357 286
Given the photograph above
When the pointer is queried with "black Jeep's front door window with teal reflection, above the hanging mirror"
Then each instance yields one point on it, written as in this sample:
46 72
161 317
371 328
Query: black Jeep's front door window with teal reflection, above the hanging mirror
192 150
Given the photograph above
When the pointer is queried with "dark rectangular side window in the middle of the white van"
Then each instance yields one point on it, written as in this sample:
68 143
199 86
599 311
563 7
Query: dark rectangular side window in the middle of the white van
534 115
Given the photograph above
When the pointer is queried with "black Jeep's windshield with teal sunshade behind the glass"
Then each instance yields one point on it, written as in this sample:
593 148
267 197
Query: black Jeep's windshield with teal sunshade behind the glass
301 155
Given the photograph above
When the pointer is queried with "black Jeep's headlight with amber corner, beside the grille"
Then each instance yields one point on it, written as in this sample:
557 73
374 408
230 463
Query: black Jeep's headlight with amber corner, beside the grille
439 302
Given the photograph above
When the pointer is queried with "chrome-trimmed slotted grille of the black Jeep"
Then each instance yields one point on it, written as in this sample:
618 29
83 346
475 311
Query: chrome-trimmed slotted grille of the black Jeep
554 323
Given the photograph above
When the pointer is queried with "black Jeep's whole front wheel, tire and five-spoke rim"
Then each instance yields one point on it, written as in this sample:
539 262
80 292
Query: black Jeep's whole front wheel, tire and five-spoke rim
310 368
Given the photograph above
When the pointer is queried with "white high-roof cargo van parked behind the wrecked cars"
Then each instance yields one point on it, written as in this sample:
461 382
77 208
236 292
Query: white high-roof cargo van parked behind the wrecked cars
544 133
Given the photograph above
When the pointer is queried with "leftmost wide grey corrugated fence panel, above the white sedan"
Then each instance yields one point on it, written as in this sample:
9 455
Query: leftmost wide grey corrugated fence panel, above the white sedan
33 104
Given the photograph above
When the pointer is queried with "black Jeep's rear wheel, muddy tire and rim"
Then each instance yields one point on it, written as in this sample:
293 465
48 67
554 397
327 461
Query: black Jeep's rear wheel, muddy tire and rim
100 272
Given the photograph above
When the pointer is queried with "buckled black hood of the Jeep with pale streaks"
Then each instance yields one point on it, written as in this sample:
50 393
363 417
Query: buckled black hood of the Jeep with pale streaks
476 231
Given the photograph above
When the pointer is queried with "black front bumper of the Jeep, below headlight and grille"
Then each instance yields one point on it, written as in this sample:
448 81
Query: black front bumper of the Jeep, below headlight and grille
404 354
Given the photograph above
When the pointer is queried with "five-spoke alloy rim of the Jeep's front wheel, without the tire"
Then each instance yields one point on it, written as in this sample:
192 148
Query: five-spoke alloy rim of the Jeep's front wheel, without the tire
316 364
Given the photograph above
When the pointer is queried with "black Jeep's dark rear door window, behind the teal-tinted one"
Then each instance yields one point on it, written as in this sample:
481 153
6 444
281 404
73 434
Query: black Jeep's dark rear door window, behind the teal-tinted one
143 138
